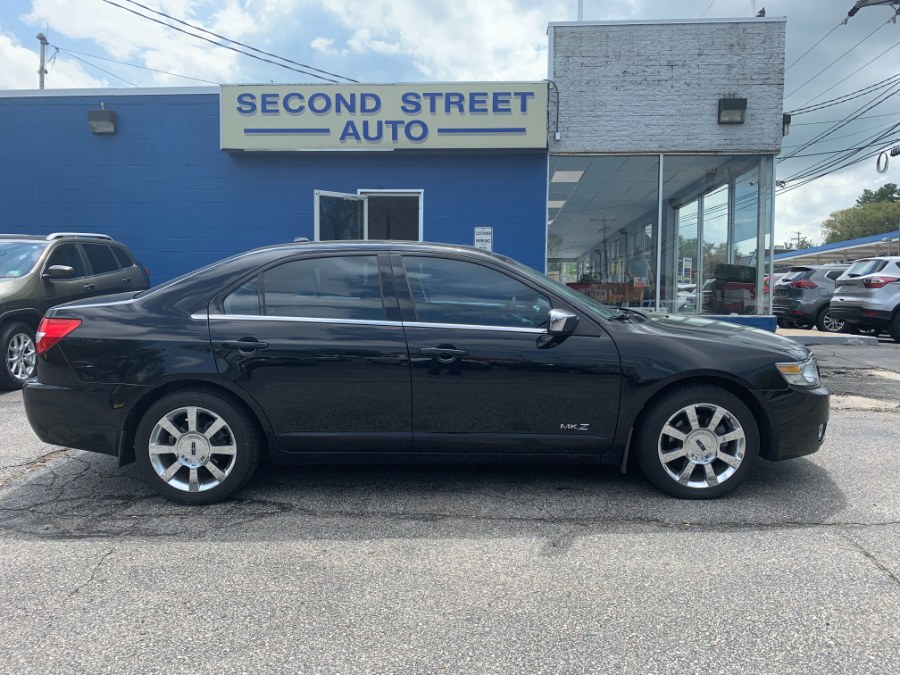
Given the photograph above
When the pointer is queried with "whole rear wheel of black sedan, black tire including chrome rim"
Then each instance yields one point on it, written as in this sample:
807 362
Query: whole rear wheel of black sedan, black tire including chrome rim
201 468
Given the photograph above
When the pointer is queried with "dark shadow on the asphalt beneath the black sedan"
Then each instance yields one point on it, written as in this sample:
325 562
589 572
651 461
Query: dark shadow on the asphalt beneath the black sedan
85 495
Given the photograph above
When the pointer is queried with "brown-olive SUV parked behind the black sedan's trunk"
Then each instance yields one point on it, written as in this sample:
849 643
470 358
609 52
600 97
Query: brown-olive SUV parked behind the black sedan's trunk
37 272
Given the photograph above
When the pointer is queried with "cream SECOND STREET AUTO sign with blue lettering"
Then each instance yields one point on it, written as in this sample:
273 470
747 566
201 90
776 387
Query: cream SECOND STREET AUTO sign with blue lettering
384 116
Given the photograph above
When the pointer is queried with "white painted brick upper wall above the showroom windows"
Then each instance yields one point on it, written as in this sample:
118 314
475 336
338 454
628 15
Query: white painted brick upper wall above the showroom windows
654 87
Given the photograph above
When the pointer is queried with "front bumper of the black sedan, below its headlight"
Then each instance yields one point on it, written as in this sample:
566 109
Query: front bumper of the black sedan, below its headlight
799 420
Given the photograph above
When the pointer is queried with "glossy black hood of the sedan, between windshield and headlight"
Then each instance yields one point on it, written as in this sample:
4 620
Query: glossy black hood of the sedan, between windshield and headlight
702 328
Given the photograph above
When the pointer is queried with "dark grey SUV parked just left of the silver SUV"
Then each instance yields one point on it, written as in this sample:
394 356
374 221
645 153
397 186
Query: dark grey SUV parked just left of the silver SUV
802 297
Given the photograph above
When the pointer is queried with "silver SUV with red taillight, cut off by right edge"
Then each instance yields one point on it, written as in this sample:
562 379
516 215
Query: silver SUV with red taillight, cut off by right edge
868 295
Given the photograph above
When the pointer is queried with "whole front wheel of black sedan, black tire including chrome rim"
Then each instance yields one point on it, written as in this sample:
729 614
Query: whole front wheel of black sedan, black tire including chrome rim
653 444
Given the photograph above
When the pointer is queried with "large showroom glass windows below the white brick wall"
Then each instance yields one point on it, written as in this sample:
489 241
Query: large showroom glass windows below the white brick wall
605 240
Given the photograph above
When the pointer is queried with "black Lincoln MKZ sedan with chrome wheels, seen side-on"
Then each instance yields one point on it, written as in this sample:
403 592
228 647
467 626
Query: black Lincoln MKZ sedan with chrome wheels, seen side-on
382 350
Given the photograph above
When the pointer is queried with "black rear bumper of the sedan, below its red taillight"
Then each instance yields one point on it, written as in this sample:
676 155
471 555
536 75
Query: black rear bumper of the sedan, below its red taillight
84 417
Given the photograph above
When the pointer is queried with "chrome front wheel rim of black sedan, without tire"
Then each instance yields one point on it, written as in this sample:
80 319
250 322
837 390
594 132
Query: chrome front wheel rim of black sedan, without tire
702 445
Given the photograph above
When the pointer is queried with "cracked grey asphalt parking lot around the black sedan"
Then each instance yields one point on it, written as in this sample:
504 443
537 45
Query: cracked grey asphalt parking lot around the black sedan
505 569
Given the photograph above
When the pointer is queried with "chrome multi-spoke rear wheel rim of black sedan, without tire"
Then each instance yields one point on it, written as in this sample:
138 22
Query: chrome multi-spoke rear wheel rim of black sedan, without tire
192 449
